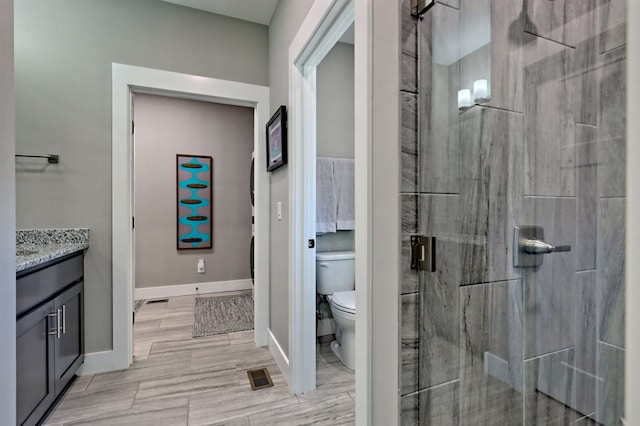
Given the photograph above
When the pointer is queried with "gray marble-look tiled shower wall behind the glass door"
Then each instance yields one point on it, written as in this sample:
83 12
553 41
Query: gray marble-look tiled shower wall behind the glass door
484 342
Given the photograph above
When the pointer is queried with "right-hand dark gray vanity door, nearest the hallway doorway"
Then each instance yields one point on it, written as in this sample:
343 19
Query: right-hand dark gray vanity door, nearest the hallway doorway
69 348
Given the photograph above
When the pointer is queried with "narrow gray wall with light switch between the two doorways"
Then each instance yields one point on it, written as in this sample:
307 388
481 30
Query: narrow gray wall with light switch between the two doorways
285 22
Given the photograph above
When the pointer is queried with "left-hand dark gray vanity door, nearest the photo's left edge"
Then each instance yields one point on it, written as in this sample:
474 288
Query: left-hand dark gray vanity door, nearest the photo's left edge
34 364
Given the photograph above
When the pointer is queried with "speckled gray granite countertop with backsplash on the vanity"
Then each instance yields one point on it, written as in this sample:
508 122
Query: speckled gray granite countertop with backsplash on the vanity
37 246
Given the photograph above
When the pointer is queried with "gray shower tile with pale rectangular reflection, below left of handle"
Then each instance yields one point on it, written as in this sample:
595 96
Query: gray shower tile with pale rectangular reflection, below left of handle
491 354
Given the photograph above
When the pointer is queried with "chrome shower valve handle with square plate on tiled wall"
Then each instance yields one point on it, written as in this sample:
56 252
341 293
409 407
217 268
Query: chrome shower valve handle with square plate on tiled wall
529 244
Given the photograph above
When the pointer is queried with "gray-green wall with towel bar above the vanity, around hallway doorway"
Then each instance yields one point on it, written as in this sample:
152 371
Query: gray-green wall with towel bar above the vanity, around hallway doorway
64 51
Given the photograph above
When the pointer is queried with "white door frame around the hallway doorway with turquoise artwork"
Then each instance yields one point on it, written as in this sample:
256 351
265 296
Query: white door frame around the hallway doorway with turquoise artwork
128 79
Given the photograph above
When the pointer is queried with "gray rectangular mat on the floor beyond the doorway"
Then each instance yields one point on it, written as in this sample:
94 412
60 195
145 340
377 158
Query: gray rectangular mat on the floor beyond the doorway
223 314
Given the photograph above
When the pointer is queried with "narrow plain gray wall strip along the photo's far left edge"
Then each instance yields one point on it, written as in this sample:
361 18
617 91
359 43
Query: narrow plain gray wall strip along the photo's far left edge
7 220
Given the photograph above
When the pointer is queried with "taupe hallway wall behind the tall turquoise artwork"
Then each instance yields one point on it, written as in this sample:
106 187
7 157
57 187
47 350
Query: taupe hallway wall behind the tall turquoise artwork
169 126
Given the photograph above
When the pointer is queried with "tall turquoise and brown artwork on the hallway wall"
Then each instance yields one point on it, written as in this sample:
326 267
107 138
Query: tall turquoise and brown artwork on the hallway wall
194 201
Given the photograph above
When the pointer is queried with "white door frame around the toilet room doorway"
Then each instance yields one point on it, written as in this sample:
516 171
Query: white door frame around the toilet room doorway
324 25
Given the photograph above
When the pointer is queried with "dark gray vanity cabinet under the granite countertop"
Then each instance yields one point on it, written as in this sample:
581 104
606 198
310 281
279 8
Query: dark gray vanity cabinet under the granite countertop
50 335
